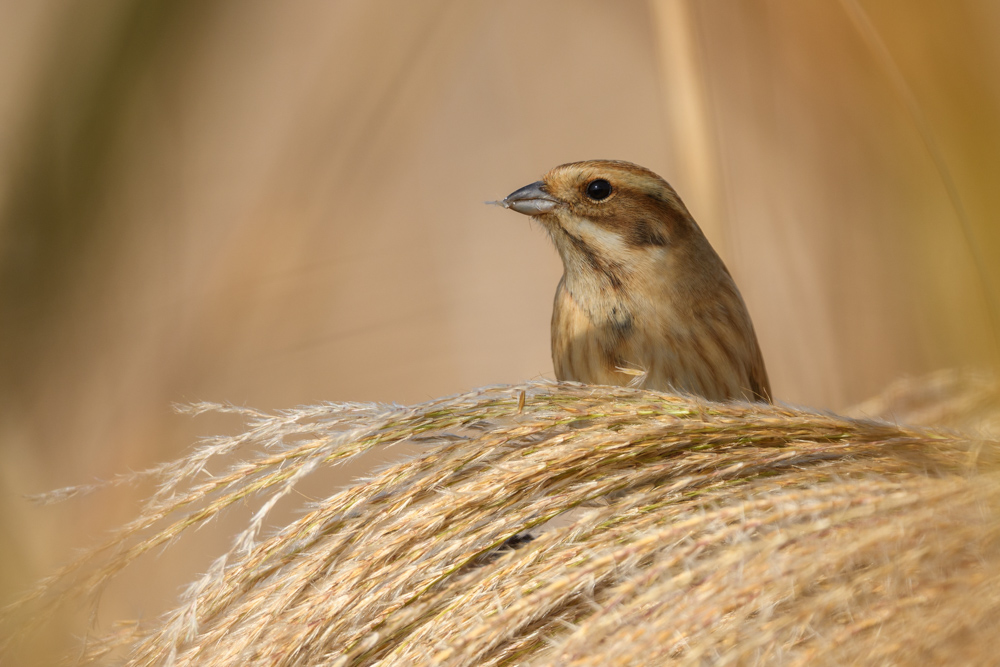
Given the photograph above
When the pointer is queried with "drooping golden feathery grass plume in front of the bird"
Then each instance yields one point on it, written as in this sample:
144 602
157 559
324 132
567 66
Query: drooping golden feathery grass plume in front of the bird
697 532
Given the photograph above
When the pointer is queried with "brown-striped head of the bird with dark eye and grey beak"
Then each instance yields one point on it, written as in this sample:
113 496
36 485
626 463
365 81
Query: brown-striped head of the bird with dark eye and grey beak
610 217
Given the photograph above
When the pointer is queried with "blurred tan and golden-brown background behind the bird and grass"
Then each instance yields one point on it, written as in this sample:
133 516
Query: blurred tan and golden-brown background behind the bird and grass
274 204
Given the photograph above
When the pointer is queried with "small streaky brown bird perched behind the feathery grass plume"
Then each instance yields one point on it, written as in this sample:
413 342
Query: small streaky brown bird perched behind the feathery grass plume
644 299
